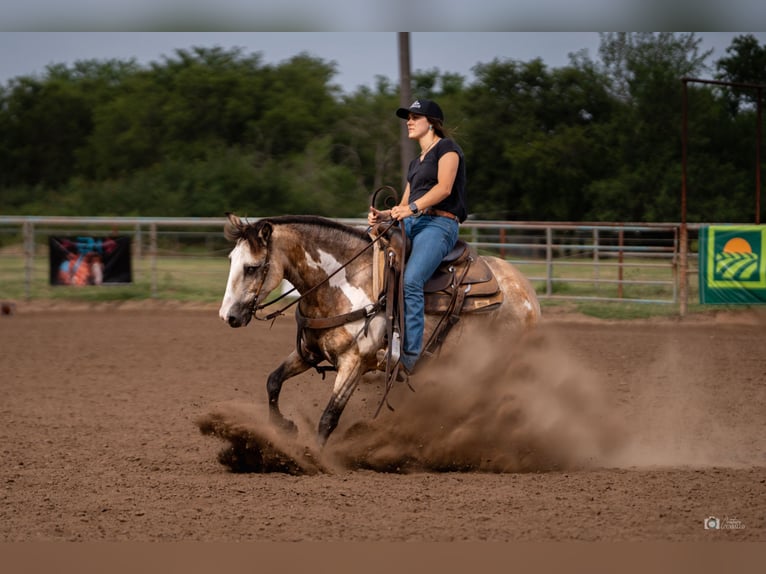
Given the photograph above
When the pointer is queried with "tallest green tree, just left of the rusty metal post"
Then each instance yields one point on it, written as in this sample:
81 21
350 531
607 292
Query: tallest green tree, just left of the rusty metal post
645 71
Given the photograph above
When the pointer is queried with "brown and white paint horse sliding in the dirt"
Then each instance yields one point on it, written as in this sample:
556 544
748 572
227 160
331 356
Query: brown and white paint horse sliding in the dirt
340 318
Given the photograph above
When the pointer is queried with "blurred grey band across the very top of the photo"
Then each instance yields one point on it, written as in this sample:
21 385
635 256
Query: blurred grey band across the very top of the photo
379 15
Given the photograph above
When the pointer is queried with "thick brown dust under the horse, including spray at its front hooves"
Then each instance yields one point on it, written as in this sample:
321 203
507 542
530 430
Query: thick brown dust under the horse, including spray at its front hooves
498 404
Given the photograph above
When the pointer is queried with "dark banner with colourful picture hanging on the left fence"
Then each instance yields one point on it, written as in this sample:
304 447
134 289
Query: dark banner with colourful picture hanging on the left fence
89 260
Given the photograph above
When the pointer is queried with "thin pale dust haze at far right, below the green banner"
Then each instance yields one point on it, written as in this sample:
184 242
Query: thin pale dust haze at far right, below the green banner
677 418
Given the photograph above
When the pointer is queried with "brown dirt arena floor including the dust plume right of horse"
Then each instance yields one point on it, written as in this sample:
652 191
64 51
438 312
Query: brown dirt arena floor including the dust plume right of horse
586 430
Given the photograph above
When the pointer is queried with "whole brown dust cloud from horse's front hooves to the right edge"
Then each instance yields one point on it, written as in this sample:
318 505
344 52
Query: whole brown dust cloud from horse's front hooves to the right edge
531 404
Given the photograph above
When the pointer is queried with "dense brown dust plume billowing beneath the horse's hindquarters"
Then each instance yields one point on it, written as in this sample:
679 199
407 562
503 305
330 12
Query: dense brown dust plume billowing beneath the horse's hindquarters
500 404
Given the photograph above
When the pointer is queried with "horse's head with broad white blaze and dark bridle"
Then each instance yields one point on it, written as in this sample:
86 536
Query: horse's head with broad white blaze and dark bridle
249 278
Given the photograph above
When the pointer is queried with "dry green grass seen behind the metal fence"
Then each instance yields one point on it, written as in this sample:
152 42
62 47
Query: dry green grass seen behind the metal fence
202 278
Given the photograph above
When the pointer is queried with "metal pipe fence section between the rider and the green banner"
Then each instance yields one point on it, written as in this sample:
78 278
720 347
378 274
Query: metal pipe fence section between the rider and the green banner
596 261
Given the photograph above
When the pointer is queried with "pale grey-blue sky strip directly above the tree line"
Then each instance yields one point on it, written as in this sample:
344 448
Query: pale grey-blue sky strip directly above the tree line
360 57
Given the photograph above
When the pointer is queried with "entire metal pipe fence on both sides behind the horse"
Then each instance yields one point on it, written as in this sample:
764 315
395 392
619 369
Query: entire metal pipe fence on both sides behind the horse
186 257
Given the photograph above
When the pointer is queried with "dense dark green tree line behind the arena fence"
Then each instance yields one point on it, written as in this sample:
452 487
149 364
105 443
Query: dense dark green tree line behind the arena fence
208 130
